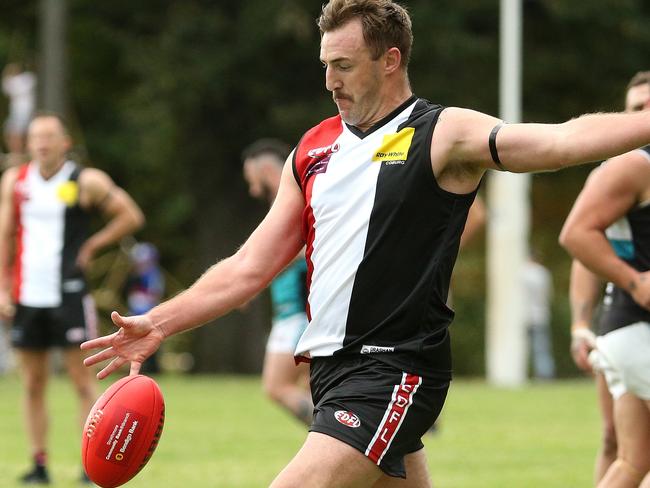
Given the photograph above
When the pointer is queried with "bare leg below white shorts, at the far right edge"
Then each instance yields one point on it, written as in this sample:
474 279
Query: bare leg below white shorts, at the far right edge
632 419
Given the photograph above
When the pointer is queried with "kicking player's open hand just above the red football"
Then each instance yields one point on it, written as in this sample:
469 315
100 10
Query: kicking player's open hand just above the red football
136 340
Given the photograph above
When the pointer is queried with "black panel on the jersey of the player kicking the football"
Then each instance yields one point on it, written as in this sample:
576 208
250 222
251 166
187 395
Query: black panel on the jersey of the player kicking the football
401 286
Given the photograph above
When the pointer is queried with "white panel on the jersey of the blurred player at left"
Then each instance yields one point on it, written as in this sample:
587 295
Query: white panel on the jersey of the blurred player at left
43 220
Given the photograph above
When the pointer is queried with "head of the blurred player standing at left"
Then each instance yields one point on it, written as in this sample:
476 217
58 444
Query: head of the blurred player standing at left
47 141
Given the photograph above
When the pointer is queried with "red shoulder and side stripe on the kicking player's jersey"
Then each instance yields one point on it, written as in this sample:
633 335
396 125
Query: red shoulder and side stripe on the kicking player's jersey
311 158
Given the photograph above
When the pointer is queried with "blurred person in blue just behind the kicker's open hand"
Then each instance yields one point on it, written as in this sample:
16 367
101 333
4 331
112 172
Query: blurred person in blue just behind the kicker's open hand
144 289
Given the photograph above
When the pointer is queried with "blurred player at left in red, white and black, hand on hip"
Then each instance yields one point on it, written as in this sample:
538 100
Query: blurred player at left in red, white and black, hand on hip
45 246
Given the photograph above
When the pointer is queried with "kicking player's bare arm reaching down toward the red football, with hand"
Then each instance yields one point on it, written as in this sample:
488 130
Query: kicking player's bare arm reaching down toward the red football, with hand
225 286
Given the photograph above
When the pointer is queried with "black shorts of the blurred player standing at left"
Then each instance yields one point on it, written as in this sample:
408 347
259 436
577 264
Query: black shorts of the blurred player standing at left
70 324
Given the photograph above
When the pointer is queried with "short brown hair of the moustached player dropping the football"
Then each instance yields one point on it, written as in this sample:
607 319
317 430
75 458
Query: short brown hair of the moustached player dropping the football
385 24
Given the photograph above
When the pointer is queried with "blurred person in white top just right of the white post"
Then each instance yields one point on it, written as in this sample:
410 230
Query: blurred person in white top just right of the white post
538 286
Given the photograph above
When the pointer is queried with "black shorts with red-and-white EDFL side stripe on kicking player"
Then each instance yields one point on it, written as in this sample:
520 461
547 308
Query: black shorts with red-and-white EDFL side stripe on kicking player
374 407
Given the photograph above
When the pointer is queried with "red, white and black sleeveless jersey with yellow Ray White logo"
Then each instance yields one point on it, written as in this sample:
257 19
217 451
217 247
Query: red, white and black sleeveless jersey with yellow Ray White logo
381 240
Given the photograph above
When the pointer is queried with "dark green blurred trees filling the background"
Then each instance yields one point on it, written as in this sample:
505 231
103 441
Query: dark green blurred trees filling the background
166 93
